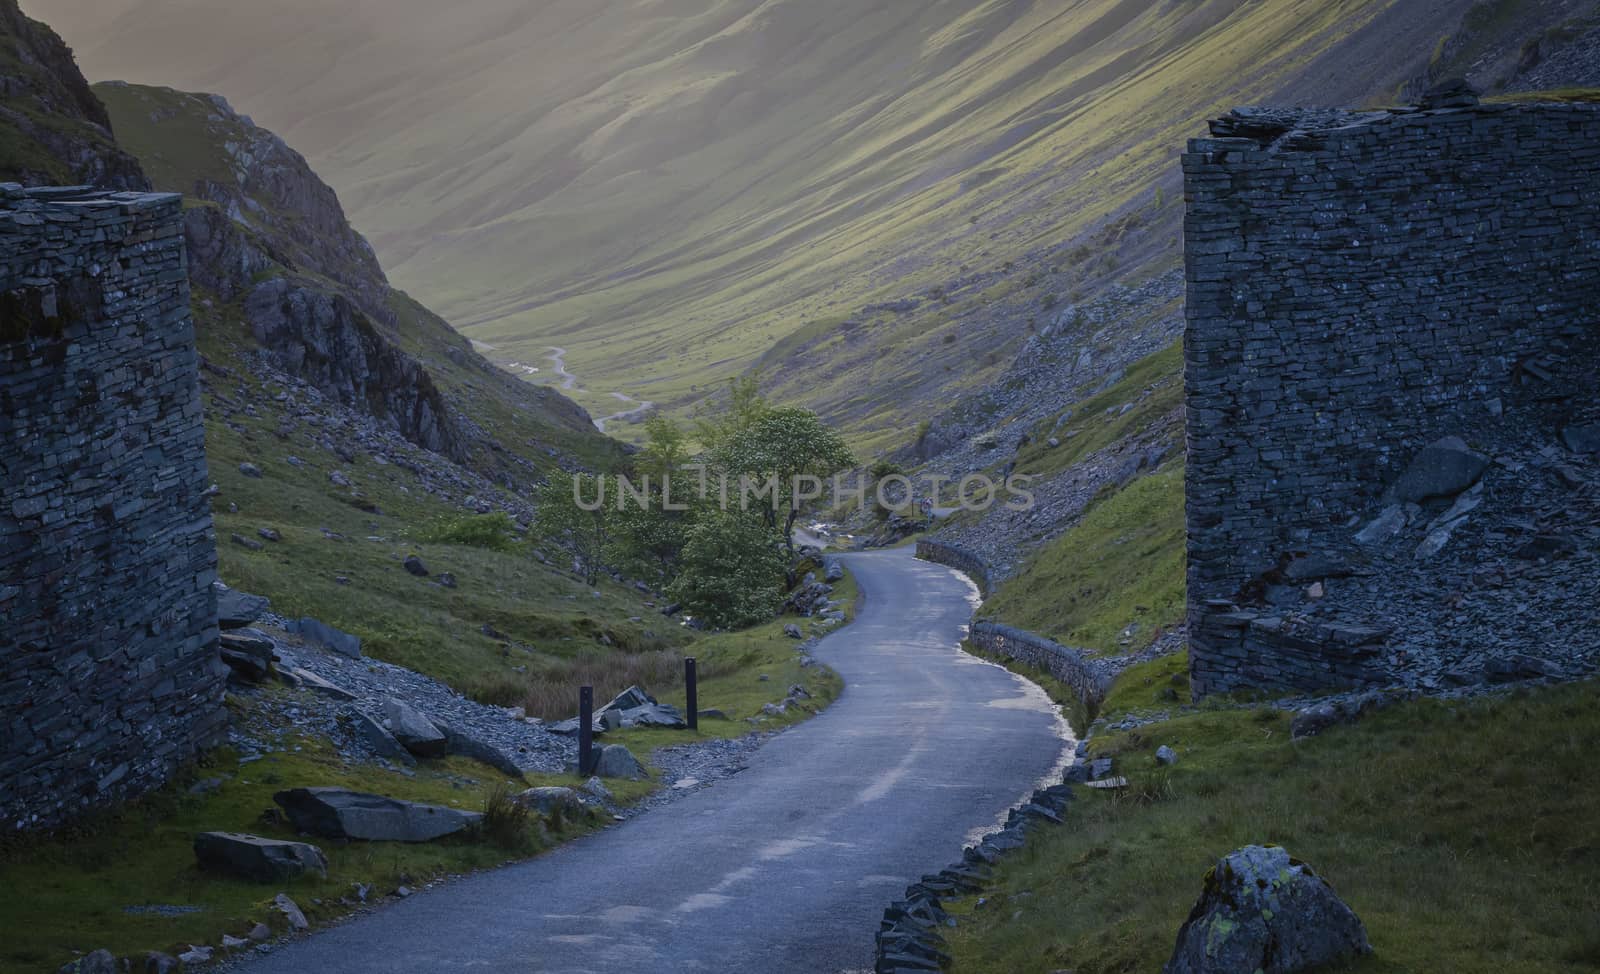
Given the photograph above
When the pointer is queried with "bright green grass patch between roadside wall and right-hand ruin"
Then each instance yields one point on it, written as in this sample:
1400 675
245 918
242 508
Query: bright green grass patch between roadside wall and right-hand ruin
1121 565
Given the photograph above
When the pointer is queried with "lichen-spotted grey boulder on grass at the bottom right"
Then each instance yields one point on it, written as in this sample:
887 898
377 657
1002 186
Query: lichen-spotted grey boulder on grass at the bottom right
1266 914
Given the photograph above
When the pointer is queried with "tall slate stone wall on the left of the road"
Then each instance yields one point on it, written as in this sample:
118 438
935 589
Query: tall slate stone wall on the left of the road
110 671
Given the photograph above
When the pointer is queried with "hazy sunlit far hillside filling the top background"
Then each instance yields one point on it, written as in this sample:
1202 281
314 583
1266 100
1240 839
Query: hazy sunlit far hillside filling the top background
671 190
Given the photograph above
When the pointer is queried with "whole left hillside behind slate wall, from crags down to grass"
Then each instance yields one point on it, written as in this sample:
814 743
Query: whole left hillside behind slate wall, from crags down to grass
346 426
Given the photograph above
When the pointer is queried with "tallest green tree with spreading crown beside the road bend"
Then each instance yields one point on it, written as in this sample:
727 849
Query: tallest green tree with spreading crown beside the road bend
778 450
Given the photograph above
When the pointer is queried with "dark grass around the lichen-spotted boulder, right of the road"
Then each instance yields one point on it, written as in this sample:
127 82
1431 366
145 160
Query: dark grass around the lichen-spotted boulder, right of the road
1462 832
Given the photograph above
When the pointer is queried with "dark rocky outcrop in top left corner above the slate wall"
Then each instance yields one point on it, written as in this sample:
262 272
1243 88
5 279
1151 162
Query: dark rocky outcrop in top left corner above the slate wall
54 130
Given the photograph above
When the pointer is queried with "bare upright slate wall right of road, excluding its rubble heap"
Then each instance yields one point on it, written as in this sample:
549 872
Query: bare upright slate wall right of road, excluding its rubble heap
1353 284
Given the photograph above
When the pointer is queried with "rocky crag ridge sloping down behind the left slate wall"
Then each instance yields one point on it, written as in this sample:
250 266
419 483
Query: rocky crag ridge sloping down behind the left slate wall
266 234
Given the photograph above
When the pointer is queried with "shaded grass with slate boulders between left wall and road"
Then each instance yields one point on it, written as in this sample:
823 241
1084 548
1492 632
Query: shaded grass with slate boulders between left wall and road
81 884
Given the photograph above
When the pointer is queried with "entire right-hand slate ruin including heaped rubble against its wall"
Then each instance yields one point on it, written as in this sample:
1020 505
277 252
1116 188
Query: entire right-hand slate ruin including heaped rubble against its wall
1377 301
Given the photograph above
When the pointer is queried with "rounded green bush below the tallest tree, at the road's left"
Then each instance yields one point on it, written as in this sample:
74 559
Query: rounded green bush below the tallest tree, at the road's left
732 570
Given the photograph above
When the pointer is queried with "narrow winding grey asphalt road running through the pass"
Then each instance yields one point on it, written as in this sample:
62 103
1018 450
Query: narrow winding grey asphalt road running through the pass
785 868
